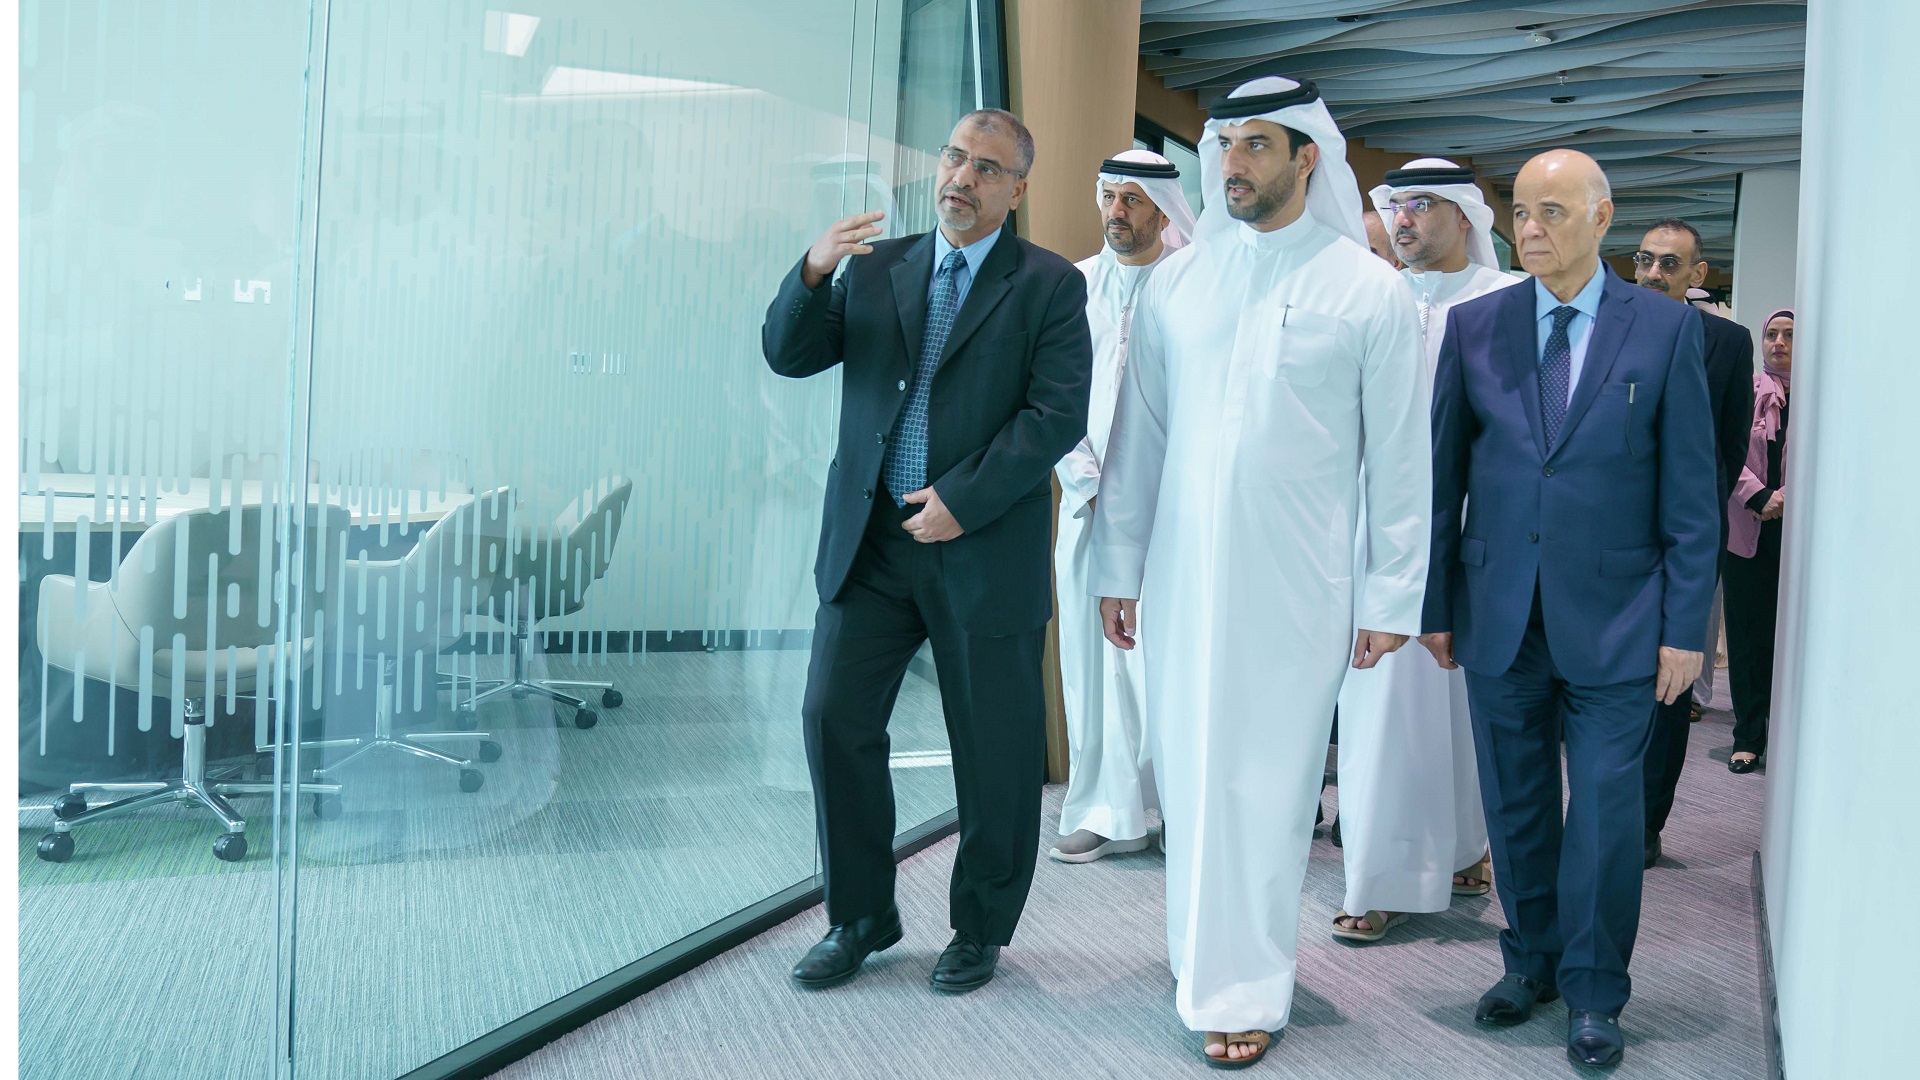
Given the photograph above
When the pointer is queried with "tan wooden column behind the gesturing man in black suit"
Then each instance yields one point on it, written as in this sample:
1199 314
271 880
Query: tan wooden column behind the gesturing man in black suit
1072 78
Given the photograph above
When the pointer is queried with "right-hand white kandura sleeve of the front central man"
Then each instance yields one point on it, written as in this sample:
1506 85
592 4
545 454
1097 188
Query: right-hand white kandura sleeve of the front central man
1395 401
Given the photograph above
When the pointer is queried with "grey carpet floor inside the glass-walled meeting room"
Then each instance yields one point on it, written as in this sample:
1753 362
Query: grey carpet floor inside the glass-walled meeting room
427 916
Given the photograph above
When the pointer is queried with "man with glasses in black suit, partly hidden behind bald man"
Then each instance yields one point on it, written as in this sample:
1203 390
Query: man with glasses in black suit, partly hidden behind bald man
1669 262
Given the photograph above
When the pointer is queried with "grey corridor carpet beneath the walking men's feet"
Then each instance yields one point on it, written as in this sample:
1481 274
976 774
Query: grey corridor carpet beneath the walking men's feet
1086 989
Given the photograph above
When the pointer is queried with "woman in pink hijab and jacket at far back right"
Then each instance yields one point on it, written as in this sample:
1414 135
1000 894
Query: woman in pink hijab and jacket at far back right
1752 576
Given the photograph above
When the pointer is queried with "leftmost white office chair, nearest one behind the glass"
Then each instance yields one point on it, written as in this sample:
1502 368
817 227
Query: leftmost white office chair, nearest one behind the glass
191 616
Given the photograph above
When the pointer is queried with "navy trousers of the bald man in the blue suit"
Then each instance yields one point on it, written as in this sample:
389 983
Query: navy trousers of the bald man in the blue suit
1570 887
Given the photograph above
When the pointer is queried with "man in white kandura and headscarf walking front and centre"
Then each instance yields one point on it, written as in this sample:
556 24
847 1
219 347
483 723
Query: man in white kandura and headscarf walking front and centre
1268 362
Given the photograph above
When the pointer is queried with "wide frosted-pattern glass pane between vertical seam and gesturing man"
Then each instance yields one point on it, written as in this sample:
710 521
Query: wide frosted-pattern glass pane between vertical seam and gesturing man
544 255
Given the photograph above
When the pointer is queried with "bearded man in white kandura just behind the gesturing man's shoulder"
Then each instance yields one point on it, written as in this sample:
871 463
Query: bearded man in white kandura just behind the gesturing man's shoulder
1111 785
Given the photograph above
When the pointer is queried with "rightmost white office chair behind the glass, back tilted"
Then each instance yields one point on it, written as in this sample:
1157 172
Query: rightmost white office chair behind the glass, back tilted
550 577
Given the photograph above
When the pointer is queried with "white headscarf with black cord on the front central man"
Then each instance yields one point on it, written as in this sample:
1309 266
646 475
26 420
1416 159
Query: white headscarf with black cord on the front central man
1333 193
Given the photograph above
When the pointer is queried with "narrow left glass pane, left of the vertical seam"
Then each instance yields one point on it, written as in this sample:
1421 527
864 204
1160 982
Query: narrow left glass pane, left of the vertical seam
160 199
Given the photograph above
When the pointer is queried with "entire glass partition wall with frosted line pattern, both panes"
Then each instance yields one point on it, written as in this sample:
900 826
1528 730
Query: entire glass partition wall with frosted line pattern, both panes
402 476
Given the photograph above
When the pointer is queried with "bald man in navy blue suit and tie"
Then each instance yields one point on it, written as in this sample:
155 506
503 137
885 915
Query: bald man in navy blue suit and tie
1573 430
